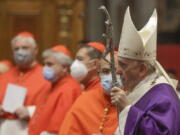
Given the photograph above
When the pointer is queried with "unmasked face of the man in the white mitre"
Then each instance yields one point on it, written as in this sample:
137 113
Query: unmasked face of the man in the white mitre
129 71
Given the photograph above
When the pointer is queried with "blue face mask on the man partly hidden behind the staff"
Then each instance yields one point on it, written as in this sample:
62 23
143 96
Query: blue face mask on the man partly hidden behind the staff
106 82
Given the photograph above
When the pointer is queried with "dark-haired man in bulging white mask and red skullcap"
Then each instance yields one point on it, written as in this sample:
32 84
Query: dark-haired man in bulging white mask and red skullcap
85 68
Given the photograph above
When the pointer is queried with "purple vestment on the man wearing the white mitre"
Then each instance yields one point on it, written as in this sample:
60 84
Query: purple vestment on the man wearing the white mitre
156 113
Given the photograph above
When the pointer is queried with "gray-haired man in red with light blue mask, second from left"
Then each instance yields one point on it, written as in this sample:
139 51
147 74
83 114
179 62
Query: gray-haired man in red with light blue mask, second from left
65 89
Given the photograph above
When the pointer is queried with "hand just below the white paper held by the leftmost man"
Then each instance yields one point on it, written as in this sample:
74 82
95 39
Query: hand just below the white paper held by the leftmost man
22 113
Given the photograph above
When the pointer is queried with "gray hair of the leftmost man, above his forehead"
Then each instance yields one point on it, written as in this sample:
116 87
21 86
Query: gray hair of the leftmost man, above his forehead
29 40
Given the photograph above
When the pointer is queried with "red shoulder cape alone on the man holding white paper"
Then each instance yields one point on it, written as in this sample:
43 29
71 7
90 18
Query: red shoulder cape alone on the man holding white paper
31 79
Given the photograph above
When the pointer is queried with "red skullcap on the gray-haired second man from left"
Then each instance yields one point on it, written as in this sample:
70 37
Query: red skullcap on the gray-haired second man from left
62 49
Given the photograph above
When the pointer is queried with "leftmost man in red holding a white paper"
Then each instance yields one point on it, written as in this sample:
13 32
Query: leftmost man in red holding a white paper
26 74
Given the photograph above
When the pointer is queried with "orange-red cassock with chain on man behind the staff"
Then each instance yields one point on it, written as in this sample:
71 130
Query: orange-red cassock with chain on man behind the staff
91 113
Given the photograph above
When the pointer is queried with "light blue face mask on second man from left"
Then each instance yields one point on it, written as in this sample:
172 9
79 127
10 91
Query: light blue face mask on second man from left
49 74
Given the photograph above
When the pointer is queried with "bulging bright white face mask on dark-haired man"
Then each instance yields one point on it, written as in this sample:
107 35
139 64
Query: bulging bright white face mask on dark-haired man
78 70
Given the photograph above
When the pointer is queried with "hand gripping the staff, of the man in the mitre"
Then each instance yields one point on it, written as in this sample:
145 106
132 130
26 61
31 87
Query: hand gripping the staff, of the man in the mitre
119 98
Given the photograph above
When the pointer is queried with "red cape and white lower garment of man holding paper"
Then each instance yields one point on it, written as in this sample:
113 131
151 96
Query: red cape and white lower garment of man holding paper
37 87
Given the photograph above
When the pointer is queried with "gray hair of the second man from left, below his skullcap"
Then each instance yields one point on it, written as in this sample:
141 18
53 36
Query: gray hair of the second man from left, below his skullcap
62 58
